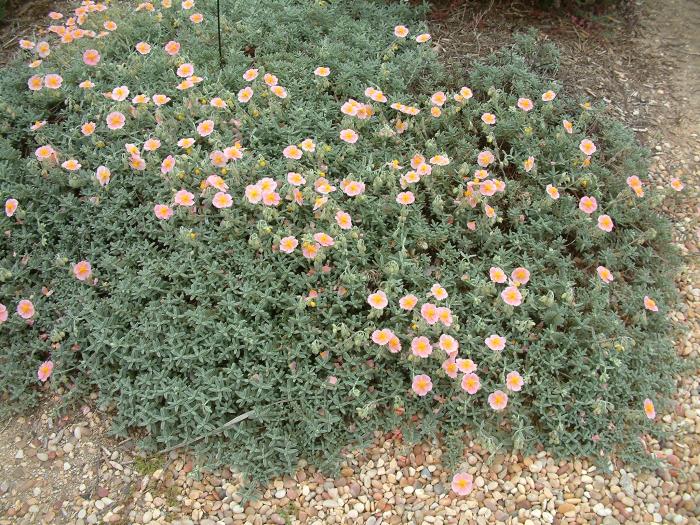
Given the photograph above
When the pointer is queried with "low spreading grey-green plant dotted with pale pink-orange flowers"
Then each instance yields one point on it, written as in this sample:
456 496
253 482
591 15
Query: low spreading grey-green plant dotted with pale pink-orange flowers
327 236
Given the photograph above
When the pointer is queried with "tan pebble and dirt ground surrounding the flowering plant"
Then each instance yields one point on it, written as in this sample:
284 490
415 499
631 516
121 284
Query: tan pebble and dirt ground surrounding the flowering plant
646 65
